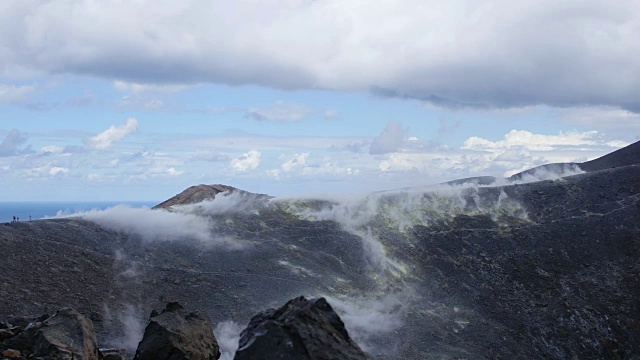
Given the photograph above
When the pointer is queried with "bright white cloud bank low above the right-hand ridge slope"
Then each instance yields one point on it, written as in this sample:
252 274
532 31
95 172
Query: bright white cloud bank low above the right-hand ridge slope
518 151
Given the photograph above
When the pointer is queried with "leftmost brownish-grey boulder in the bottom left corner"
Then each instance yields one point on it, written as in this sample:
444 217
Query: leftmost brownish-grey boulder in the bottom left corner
67 334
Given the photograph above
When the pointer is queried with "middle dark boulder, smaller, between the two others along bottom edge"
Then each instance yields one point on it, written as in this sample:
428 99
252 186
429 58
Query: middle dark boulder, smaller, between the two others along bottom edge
174 334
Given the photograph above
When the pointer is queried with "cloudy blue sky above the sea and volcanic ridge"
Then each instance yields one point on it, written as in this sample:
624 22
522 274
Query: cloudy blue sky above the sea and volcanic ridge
137 100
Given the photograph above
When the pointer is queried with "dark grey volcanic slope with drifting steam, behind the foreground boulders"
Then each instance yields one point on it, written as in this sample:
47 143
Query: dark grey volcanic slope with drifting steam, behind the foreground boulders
539 269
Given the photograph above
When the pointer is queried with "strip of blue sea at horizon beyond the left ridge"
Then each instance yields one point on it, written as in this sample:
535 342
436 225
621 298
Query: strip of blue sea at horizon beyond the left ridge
40 210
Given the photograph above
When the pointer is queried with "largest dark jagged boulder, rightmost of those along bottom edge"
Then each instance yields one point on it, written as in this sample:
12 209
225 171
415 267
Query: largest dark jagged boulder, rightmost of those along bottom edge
301 329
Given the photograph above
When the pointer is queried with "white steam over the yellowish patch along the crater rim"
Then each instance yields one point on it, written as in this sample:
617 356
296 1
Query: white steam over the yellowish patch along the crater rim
400 210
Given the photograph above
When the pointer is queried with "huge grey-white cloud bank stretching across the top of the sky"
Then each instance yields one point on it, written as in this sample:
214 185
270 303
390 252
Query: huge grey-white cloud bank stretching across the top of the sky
486 54
